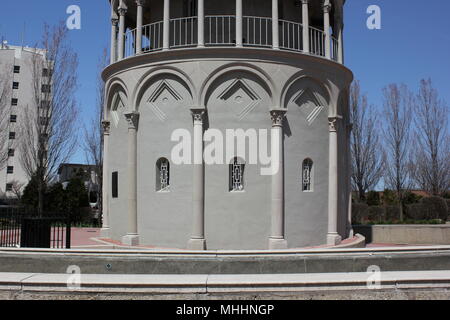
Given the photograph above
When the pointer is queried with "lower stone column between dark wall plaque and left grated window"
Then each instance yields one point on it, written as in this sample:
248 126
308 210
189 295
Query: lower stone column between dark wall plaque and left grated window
132 238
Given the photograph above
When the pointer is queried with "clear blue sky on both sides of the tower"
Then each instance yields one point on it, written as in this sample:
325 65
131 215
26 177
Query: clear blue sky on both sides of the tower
414 42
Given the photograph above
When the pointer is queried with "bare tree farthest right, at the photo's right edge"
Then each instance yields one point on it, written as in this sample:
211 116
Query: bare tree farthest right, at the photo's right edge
432 153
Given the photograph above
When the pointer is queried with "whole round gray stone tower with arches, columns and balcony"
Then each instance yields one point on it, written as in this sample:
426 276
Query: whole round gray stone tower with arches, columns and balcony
208 66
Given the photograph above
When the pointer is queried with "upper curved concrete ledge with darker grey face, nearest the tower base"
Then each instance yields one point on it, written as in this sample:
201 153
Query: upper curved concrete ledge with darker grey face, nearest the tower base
323 260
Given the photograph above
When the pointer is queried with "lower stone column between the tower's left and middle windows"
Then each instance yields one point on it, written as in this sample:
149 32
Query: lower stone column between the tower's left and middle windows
198 241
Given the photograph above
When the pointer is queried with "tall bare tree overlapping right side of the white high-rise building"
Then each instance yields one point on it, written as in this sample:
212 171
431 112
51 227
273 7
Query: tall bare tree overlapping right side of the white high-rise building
48 132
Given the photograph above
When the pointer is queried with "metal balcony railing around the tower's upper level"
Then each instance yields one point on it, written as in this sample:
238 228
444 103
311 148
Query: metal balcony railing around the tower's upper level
221 31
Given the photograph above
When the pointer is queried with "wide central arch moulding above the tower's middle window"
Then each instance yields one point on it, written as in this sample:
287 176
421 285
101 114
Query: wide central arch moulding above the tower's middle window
260 75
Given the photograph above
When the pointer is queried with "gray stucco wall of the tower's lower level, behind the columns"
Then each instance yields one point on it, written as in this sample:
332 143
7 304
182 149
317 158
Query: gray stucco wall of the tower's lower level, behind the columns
200 78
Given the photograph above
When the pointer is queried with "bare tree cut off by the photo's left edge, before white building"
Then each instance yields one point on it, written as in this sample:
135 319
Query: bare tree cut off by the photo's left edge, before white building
5 96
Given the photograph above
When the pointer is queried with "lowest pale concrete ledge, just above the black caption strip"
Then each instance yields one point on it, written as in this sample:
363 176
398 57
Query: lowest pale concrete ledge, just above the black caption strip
220 284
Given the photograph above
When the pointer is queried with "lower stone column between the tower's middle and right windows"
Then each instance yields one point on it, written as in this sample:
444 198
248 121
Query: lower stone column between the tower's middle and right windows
277 237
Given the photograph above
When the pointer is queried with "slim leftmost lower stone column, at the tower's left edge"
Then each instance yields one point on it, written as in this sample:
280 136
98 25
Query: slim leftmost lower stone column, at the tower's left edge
105 180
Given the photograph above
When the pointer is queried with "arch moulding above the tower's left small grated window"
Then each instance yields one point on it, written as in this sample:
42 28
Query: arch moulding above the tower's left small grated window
149 78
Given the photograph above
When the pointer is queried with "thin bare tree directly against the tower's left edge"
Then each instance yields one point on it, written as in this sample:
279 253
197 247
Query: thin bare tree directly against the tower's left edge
93 134
